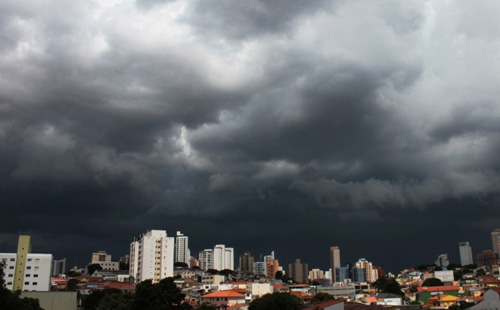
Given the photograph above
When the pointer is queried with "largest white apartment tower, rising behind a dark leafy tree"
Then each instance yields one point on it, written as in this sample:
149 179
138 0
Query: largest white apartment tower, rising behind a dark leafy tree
152 256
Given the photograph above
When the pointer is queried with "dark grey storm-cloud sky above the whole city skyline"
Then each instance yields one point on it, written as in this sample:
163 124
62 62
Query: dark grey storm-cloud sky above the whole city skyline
264 125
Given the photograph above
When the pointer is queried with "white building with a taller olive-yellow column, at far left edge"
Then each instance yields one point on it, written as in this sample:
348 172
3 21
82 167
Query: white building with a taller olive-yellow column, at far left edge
25 271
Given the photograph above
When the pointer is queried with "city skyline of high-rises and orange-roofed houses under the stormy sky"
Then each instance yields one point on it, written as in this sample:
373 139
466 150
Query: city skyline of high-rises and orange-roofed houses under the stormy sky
213 278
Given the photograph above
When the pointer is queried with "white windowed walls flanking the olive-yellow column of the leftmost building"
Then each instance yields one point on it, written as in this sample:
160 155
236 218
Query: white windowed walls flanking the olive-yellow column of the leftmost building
37 273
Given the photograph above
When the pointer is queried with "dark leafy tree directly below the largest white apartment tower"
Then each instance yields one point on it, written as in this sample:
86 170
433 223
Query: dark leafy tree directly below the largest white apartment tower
164 295
